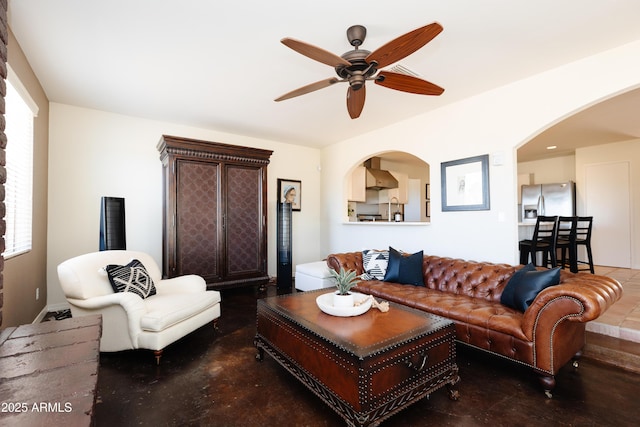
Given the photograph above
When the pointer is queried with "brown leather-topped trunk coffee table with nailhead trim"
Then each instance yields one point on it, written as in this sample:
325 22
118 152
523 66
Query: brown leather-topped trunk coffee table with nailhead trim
365 367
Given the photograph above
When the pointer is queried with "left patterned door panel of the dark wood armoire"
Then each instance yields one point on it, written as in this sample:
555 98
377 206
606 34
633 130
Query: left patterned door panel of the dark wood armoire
197 200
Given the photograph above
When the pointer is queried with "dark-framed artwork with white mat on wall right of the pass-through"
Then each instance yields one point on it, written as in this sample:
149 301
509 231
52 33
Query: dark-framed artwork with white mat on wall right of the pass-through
465 184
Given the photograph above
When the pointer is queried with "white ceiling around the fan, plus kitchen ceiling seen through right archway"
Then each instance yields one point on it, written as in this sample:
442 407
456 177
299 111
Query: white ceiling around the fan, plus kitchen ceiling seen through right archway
215 64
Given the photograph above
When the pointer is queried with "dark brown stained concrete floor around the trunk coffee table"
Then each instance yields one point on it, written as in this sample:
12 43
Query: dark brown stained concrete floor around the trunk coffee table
213 379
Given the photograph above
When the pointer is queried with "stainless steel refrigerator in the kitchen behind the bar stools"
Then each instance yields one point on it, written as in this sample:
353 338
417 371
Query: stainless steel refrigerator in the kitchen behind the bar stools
548 199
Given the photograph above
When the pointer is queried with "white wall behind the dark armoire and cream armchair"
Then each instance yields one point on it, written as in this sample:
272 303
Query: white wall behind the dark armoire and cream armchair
94 153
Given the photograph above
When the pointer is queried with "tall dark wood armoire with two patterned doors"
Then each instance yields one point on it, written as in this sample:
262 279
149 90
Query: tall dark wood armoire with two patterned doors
215 211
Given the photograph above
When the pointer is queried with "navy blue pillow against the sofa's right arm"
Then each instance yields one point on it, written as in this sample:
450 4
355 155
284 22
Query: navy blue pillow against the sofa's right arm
527 285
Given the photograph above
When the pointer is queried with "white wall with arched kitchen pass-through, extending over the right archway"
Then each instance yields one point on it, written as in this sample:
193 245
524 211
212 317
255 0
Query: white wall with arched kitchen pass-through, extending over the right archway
495 122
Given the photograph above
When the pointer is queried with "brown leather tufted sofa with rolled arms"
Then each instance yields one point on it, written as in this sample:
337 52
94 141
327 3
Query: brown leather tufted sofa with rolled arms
550 333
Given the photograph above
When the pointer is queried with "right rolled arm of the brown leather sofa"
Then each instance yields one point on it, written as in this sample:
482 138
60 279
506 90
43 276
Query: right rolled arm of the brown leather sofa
578 298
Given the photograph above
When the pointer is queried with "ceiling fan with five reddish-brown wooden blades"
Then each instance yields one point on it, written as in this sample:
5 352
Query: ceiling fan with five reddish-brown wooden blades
359 65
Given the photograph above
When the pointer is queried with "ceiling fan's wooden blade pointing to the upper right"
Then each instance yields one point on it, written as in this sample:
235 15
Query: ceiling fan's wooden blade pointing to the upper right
404 45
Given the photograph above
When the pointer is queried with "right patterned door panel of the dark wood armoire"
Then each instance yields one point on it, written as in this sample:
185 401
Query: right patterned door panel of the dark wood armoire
244 219
